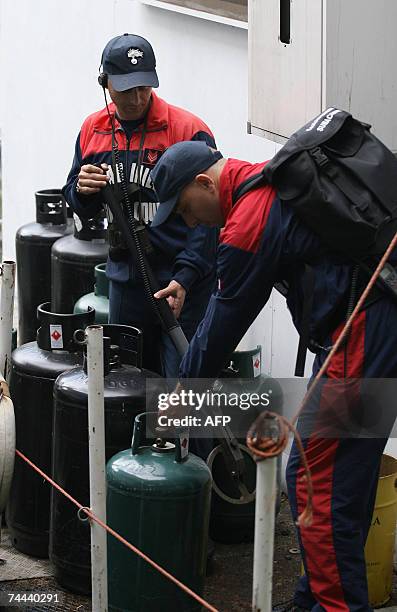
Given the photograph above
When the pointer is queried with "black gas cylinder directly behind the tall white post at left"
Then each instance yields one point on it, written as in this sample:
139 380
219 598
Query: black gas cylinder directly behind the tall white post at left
125 397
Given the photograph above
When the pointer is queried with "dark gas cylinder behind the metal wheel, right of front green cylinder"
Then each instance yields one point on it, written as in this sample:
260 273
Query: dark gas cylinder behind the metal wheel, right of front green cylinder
233 510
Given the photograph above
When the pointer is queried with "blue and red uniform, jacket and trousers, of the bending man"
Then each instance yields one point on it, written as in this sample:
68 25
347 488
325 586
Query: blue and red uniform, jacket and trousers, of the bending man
264 242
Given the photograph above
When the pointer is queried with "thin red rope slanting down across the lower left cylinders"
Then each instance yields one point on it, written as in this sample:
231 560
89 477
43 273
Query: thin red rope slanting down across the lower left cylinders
117 536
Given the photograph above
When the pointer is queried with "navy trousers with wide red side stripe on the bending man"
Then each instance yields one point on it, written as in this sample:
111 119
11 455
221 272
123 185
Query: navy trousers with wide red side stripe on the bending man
344 430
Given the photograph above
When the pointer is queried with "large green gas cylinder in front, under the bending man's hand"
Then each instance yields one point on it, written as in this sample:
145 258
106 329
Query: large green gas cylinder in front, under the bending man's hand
158 498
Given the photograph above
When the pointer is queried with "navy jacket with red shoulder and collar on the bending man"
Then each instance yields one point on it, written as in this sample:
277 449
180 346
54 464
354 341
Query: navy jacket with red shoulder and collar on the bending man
262 243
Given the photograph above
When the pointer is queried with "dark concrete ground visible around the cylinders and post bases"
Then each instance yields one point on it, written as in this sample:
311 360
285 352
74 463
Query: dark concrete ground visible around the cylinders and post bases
228 588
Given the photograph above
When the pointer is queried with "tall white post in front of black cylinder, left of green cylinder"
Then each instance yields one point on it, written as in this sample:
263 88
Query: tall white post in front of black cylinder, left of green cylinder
96 429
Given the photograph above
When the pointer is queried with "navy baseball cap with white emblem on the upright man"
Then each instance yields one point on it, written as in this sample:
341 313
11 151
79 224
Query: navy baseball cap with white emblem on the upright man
129 61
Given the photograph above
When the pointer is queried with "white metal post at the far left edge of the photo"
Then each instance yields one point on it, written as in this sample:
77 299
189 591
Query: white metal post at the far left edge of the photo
6 316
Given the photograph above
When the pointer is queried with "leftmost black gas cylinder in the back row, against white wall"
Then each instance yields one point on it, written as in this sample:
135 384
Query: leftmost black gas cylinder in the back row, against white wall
33 244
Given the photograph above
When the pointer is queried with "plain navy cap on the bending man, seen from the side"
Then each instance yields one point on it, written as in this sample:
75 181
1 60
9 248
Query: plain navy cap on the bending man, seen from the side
177 167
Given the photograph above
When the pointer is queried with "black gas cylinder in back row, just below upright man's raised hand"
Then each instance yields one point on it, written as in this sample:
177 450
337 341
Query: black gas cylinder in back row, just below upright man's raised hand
73 261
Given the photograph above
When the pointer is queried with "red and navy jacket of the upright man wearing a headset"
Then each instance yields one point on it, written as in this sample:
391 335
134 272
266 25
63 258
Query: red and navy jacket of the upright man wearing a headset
186 255
